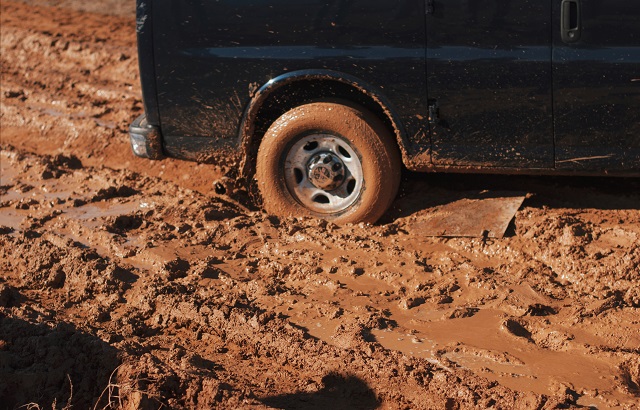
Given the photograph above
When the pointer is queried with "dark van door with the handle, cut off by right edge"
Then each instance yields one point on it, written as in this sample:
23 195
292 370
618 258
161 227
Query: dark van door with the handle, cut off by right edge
596 80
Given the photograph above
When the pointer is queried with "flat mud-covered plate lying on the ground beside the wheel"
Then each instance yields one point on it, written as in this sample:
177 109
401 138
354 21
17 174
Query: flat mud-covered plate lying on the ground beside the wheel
486 215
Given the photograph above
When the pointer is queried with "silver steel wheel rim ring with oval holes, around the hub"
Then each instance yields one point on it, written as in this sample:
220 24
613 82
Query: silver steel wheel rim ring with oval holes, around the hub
301 187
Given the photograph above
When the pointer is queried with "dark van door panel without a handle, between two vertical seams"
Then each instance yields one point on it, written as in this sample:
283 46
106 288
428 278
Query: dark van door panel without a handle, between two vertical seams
489 83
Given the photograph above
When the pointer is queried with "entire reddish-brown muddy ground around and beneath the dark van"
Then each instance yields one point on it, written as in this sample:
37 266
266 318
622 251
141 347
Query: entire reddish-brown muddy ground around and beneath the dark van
130 283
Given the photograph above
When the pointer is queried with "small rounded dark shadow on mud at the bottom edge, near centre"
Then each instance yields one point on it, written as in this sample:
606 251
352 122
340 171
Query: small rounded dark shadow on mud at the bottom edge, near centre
338 392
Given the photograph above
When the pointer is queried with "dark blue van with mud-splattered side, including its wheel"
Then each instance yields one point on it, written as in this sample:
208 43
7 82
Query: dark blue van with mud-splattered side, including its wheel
324 102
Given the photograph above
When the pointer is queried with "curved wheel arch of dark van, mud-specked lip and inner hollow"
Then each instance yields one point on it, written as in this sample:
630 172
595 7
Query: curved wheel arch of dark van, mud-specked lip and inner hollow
289 90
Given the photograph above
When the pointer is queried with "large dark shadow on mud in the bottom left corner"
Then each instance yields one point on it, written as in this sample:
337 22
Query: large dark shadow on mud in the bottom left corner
44 365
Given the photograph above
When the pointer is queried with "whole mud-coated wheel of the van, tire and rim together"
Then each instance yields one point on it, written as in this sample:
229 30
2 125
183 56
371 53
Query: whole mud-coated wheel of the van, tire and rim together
328 160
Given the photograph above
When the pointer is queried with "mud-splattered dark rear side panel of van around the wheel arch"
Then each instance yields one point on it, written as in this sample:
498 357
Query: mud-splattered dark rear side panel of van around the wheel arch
211 56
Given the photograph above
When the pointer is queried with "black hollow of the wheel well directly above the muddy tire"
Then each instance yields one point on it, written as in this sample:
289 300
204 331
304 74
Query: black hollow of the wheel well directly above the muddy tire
304 91
